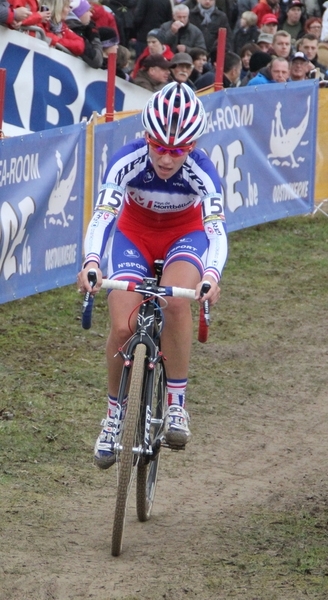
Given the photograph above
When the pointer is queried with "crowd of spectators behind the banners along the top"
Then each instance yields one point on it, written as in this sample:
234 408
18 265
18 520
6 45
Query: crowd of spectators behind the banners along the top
157 41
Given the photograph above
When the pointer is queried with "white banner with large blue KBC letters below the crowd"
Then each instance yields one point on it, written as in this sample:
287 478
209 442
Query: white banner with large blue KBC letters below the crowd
48 88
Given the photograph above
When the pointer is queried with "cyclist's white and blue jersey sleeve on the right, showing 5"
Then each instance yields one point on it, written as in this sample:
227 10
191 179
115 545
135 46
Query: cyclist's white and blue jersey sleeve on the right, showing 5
206 183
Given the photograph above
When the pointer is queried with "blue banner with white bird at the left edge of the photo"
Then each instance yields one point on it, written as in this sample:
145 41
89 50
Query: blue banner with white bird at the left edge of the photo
41 210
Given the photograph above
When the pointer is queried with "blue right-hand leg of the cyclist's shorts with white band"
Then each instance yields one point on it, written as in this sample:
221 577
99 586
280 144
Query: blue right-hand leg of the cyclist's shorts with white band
190 249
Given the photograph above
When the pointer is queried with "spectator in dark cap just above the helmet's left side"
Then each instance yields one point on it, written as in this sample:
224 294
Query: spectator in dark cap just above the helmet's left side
154 74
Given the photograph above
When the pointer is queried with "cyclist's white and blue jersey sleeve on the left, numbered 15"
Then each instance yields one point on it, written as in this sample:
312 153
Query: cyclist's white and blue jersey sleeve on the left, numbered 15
122 168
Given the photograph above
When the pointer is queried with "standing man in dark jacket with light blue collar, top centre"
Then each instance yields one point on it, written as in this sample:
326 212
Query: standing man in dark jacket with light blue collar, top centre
208 18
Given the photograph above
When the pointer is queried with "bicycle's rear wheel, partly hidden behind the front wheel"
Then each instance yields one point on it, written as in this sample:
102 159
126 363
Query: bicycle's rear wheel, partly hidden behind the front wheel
147 471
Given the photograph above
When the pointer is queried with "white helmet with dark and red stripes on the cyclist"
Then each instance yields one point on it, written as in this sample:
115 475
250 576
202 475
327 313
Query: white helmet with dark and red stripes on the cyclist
174 115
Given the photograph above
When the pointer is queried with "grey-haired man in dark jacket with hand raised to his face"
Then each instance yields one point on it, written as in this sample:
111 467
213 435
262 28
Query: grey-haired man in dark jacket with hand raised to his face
180 34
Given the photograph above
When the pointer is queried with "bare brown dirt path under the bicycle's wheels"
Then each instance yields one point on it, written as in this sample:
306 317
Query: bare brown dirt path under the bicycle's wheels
275 456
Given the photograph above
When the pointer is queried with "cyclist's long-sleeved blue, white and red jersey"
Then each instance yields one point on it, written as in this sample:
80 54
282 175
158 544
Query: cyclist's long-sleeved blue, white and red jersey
190 200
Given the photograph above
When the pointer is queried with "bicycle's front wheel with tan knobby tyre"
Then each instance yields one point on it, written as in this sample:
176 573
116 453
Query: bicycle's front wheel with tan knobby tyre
128 441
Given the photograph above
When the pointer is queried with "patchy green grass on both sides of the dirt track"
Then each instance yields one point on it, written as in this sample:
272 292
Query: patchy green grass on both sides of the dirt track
268 343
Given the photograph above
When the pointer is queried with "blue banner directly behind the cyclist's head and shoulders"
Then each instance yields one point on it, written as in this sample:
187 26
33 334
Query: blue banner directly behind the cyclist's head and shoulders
262 141
